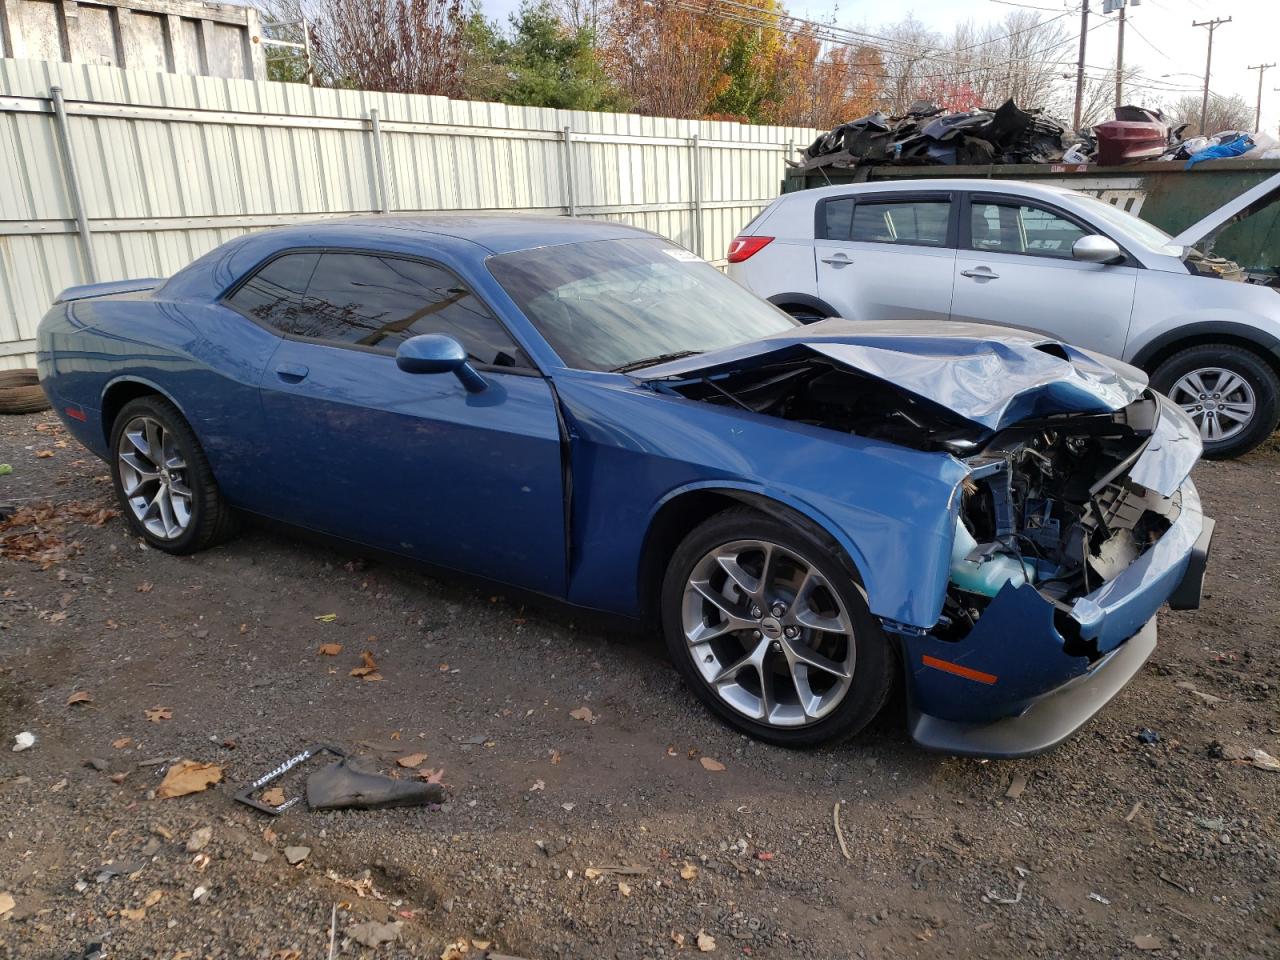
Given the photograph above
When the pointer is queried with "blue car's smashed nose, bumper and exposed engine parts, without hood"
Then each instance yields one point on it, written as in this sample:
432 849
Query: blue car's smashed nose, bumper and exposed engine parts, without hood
1071 536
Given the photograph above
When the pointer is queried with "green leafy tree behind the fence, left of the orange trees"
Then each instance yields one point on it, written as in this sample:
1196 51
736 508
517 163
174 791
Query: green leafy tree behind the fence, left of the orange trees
545 63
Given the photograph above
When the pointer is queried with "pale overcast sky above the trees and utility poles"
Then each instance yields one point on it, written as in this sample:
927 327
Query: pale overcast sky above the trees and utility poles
1160 38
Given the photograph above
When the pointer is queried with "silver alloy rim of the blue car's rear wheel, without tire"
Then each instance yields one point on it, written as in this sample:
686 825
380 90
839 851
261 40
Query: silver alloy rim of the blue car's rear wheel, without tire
154 478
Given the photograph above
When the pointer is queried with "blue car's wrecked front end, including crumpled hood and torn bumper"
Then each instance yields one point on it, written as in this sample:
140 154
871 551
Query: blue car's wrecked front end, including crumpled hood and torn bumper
1076 522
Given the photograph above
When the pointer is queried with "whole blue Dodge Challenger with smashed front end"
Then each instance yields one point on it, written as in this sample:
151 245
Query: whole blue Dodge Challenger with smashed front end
587 412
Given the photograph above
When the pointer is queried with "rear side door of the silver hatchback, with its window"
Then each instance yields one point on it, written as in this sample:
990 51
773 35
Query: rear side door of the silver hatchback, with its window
886 258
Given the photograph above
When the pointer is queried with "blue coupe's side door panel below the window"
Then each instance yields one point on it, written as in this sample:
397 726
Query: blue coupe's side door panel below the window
417 465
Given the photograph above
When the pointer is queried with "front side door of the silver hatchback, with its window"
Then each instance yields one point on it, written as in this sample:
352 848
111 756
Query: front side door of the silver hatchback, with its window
1017 271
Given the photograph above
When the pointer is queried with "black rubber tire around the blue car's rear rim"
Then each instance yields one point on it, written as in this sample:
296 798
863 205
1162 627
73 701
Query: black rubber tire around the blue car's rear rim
212 519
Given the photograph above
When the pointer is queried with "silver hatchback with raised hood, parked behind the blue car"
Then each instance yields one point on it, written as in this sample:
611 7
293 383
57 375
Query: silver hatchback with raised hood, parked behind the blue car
1044 259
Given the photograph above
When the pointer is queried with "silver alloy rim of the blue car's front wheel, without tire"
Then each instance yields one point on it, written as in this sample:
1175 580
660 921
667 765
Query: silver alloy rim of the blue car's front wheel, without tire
769 633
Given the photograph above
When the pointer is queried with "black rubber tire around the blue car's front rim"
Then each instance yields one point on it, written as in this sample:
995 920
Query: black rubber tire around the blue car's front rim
872 678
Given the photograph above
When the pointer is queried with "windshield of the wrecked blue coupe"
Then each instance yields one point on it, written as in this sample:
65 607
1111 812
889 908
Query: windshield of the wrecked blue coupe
605 305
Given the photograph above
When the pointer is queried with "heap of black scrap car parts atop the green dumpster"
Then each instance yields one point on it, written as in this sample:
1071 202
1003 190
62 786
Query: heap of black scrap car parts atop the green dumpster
927 135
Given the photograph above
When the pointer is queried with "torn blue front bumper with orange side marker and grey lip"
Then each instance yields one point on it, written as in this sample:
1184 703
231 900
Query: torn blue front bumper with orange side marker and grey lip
1013 688
